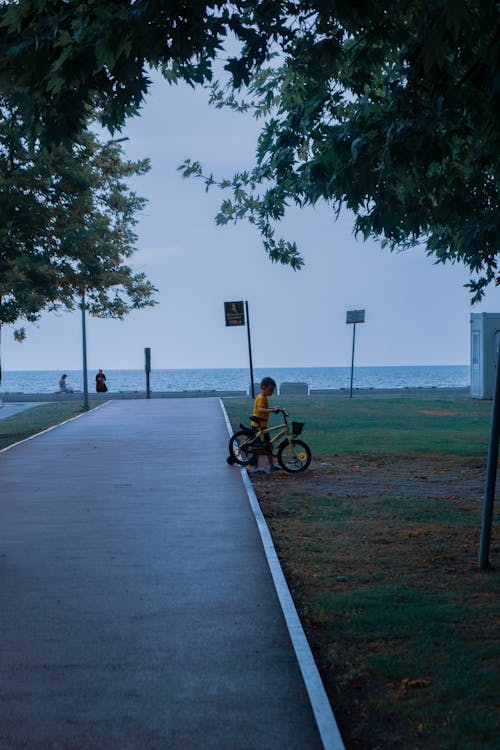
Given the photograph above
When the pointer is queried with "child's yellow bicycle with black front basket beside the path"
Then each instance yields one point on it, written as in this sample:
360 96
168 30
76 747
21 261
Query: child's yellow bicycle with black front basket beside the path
293 455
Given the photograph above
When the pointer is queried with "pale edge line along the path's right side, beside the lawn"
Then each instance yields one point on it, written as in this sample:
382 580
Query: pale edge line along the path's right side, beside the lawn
322 710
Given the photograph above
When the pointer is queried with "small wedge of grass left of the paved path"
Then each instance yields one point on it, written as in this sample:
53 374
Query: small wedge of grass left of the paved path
39 418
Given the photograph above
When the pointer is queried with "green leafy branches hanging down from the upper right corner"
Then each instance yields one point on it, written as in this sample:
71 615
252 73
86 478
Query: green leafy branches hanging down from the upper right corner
389 110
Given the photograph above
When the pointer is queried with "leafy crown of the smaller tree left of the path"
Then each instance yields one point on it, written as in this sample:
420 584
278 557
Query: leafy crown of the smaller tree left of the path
66 224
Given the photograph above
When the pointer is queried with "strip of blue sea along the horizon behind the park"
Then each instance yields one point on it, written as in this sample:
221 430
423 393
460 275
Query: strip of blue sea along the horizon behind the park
238 379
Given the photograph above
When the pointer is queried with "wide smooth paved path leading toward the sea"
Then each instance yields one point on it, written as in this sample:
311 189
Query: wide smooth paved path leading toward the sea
136 605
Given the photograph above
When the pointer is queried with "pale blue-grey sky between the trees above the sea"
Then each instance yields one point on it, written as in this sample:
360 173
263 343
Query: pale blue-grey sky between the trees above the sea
417 313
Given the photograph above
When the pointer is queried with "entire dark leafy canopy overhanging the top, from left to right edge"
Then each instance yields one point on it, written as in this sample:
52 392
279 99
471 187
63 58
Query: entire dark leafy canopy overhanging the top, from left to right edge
386 107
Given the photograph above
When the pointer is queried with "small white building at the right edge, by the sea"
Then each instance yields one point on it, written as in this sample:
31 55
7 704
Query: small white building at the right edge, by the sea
485 343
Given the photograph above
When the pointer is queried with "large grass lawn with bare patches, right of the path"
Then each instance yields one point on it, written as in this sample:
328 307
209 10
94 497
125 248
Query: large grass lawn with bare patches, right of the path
379 542
